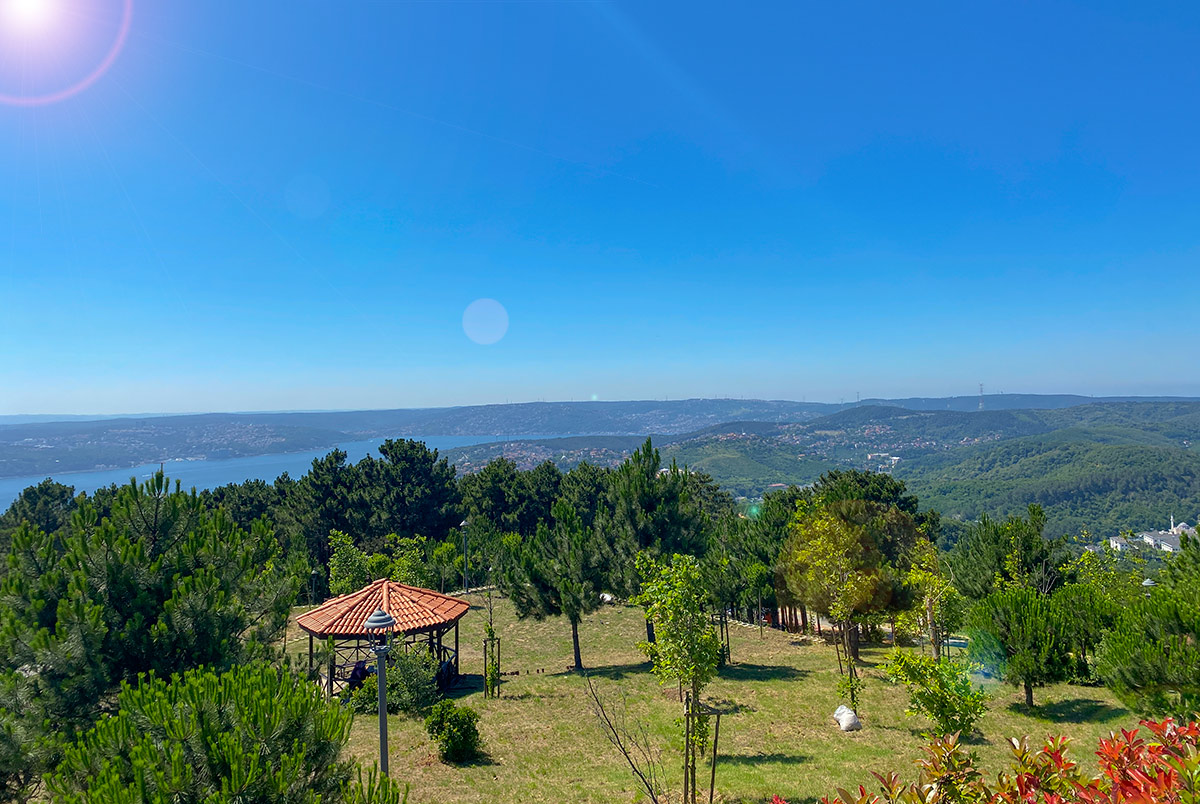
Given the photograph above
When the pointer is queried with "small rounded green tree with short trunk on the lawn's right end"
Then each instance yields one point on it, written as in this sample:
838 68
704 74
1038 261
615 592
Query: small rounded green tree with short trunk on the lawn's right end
1018 634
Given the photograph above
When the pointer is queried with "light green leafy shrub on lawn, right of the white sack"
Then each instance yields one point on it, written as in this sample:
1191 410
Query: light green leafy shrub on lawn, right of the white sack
940 691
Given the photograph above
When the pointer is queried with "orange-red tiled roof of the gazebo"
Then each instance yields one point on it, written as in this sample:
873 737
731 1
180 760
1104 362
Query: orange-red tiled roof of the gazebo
413 609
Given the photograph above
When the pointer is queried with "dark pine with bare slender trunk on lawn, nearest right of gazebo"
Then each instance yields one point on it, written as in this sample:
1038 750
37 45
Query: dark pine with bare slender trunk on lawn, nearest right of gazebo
557 573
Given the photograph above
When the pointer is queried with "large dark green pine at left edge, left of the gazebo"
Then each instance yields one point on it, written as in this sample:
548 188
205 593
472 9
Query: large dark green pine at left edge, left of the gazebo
163 586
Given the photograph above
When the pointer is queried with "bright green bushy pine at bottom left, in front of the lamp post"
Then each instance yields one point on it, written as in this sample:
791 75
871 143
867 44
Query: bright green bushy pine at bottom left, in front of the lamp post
255 734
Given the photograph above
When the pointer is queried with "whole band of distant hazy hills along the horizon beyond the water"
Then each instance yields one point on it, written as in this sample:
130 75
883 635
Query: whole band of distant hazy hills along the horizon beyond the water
1106 465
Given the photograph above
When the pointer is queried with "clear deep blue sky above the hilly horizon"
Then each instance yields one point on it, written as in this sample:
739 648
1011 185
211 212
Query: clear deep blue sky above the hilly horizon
291 206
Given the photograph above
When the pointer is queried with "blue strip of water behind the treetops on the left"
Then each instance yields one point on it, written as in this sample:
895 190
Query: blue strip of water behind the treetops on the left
211 475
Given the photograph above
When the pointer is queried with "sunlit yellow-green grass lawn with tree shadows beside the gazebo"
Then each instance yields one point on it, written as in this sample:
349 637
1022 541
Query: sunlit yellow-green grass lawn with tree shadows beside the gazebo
543 742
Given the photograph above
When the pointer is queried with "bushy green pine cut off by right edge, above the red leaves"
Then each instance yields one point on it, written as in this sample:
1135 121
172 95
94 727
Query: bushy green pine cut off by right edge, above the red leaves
1151 659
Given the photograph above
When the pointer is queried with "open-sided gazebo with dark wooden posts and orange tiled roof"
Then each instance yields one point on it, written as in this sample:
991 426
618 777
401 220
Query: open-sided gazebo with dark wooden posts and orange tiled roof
423 616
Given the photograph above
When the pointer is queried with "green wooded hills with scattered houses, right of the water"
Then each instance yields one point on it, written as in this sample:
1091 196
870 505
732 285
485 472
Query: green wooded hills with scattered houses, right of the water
1103 466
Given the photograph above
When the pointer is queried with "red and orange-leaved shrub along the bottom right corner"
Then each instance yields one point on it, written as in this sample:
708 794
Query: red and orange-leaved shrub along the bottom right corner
1163 770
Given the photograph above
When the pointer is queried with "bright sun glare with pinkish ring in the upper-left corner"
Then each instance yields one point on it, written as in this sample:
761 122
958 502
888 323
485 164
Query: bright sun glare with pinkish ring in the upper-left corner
35 26
